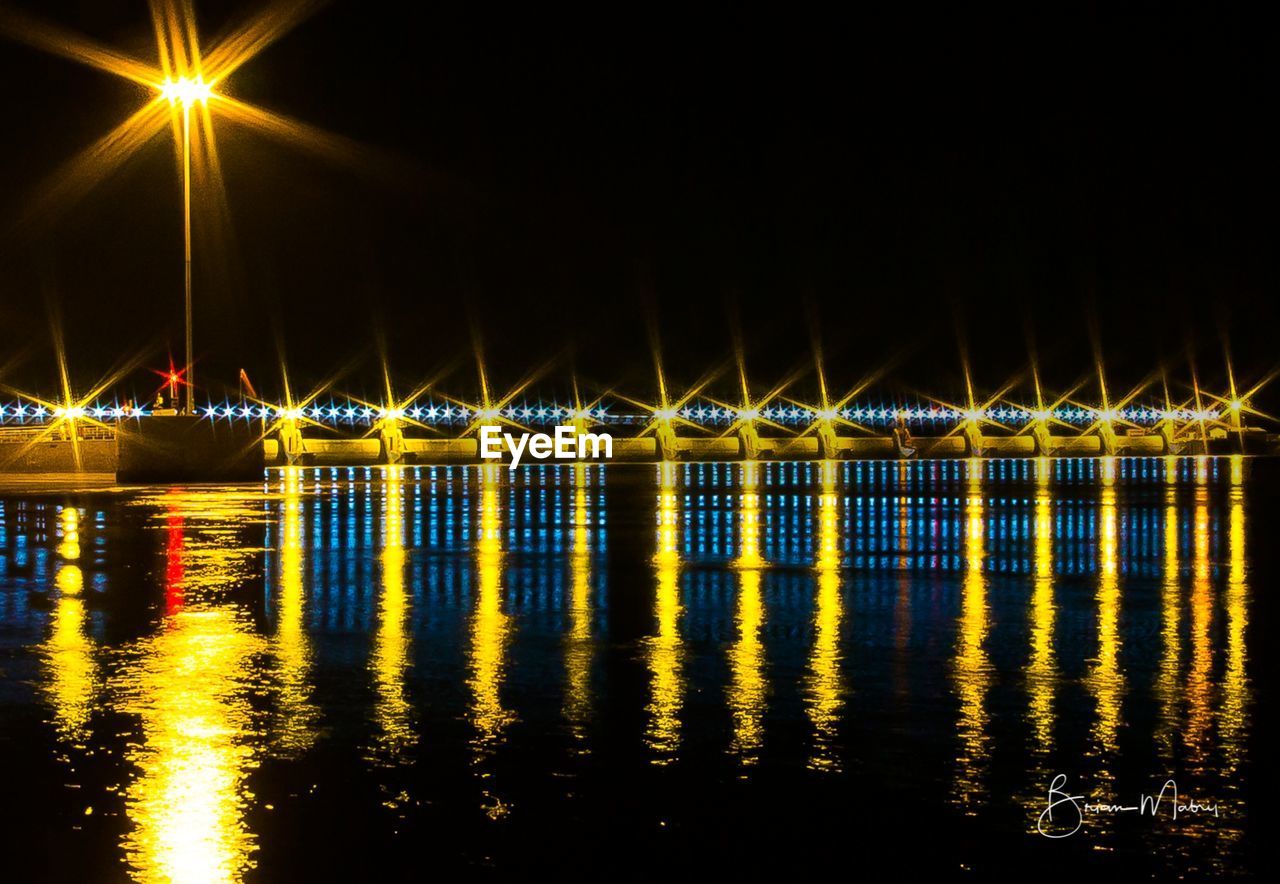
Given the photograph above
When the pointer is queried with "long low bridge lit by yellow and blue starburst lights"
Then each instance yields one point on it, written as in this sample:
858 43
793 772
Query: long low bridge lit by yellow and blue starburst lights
40 434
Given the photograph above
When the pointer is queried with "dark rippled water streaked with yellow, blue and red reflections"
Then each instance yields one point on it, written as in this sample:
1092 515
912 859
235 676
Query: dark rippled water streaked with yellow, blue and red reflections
637 672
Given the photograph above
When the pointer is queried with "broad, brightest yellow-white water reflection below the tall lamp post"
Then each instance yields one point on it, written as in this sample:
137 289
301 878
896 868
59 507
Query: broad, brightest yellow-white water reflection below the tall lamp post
190 688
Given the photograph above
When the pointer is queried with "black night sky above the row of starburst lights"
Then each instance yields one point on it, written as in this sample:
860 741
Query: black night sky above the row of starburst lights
559 178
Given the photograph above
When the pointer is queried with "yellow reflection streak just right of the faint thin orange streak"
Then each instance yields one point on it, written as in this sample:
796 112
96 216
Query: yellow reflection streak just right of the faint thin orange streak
972 670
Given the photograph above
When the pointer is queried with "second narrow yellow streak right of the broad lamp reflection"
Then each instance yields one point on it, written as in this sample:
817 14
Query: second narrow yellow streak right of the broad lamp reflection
391 654
